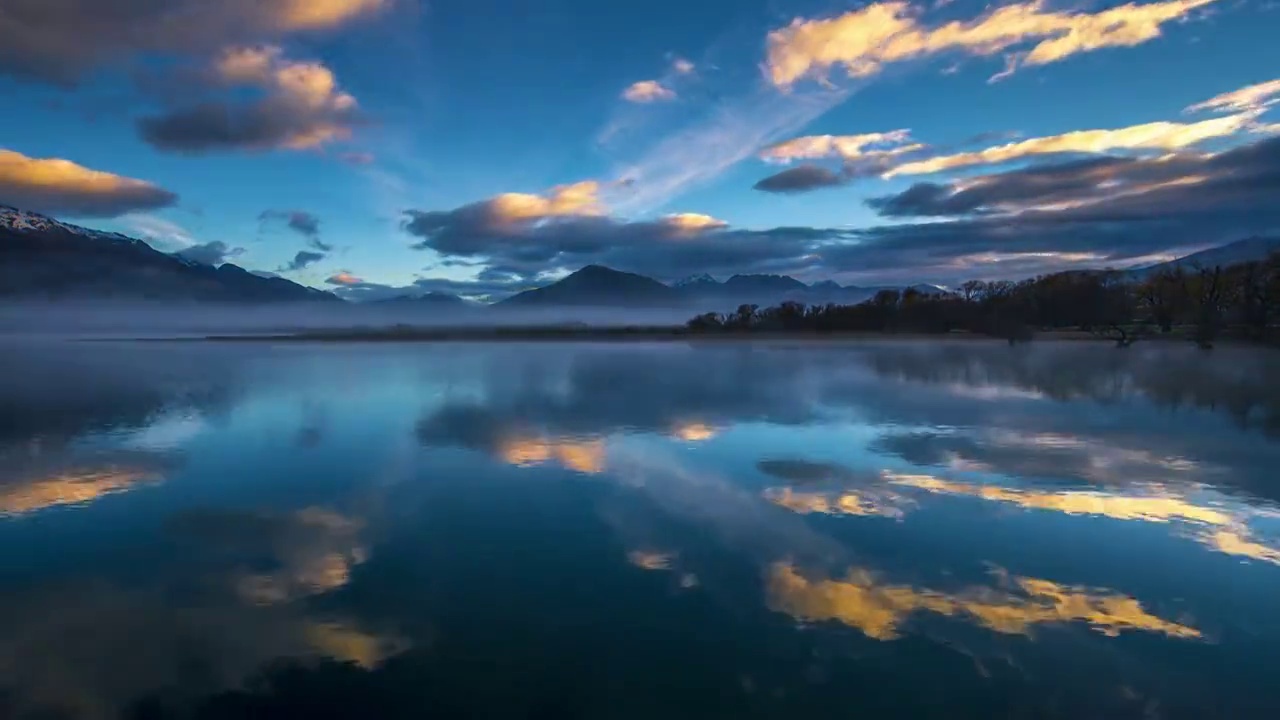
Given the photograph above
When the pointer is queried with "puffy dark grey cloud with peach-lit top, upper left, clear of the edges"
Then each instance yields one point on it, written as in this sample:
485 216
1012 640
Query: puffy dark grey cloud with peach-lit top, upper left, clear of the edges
298 107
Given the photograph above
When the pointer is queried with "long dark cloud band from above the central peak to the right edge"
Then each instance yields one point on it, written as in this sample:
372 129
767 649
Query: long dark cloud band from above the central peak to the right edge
1096 213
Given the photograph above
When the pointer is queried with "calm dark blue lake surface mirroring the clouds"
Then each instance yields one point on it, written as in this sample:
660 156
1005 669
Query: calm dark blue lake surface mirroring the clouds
638 531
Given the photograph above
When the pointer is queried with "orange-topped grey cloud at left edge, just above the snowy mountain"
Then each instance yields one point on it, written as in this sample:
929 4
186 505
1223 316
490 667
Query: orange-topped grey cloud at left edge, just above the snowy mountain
62 188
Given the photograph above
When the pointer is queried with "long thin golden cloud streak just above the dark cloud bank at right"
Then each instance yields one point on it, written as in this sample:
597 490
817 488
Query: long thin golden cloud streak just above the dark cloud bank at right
1151 136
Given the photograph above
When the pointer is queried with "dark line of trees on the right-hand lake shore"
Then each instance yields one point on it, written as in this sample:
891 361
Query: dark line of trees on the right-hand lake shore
1201 304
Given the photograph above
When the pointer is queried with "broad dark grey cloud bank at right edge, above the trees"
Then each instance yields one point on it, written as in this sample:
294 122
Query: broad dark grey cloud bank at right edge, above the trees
1081 215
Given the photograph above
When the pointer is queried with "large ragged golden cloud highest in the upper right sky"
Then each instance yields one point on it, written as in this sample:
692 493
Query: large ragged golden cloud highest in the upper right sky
867 40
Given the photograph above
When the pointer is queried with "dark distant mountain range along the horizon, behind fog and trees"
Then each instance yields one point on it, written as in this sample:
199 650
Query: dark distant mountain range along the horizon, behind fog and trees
45 259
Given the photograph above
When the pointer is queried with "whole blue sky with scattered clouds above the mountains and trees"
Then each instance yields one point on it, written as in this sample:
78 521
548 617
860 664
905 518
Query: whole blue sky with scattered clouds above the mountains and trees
381 148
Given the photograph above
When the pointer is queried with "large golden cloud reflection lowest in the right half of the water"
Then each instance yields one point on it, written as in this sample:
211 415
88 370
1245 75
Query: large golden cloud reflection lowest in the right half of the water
877 610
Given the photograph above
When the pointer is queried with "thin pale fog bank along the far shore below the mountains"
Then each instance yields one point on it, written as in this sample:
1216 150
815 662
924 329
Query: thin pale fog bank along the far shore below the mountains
179 320
